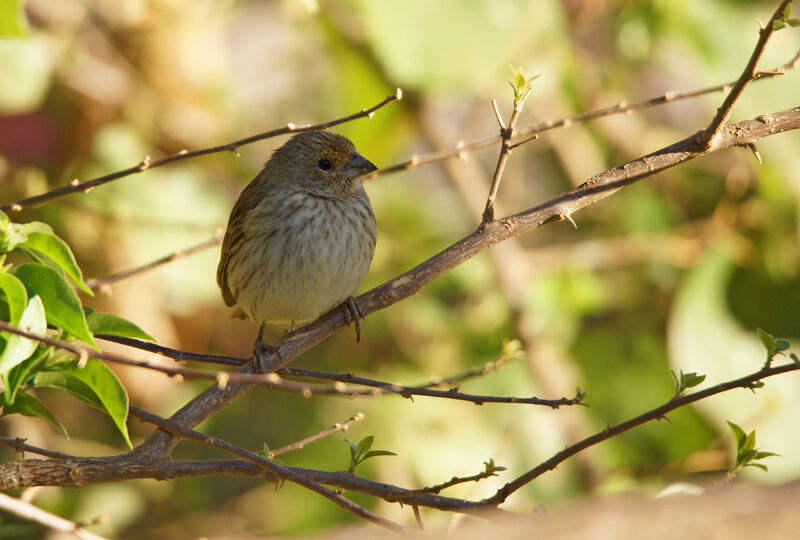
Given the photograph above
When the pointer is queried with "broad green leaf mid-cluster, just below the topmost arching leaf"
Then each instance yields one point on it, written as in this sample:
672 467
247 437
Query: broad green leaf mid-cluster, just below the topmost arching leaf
61 303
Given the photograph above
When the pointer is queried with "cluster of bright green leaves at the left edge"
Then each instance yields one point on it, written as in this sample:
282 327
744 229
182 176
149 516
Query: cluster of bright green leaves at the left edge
39 296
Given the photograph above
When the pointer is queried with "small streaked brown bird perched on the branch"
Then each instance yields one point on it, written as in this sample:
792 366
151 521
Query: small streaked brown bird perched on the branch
301 236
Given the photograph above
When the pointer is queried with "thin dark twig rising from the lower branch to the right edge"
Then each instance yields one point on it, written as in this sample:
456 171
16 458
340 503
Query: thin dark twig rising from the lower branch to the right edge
654 414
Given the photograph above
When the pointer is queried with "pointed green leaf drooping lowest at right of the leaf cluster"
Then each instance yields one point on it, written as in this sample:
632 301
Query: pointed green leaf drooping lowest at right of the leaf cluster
94 384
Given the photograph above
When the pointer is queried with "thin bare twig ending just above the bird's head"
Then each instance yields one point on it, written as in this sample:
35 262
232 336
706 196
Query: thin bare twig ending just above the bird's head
148 163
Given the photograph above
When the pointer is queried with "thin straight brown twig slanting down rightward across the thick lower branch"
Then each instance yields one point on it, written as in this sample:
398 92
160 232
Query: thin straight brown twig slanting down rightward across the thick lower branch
278 470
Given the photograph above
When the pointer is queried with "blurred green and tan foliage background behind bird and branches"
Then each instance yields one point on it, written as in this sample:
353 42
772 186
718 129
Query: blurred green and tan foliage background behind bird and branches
675 272
